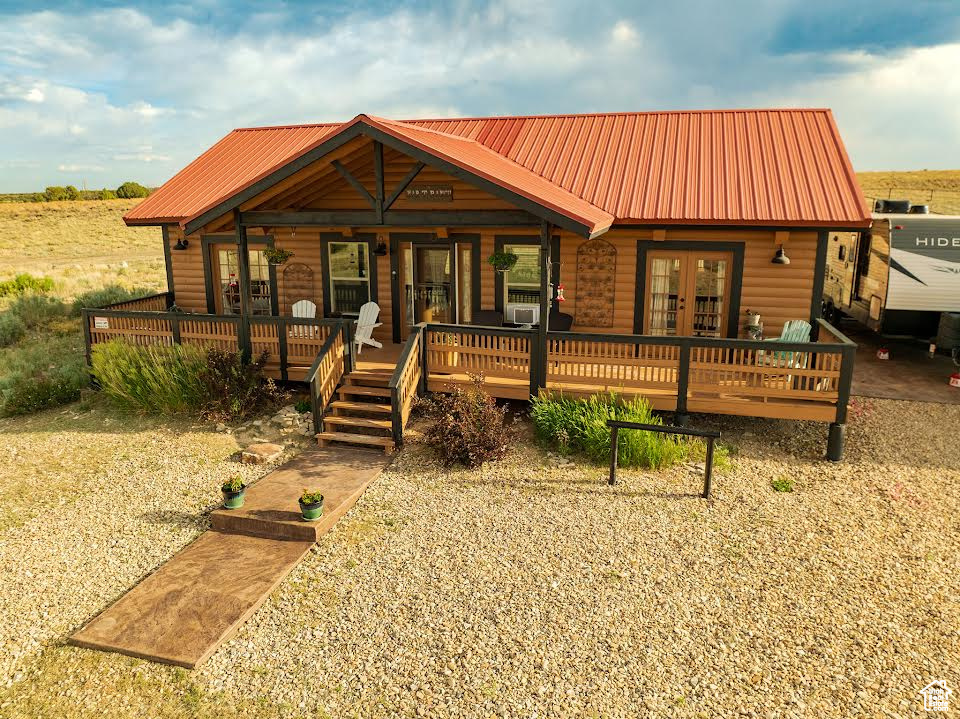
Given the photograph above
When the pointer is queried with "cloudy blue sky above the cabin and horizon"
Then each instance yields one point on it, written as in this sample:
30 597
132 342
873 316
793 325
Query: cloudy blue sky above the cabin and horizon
98 94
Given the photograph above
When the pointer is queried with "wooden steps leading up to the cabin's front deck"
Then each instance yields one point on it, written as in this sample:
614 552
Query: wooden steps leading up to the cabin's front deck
361 414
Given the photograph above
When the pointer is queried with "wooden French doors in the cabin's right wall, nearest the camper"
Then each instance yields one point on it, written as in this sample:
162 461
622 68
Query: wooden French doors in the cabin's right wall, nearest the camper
688 293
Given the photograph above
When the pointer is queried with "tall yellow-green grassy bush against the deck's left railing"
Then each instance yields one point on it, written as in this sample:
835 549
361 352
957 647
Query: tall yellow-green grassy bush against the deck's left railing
157 379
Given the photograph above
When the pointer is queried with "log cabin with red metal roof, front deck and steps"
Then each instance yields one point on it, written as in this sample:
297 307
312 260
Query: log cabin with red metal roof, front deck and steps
644 247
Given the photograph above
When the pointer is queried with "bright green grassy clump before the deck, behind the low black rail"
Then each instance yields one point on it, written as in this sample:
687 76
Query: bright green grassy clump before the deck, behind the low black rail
580 426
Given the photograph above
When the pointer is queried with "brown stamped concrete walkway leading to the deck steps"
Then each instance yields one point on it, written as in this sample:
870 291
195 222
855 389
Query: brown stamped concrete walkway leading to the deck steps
182 612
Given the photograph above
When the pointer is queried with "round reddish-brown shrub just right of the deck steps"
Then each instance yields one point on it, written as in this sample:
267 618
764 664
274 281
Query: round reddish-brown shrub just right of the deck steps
466 425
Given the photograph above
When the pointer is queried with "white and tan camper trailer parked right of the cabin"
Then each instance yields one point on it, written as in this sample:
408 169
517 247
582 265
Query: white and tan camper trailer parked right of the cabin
899 277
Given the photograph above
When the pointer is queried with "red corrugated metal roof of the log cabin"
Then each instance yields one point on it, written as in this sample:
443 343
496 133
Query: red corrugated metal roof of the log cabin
726 167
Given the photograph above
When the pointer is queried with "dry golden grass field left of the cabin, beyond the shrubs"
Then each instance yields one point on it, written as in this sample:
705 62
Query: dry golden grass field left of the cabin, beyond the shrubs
82 245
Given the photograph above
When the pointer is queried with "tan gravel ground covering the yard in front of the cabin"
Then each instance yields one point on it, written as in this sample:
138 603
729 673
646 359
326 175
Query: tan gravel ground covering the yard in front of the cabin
527 589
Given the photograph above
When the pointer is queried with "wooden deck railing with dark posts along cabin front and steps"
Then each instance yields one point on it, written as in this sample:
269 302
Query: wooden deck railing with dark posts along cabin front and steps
807 380
